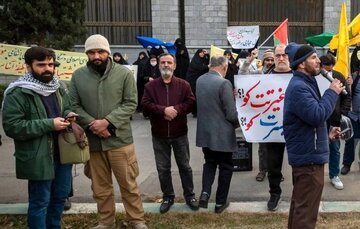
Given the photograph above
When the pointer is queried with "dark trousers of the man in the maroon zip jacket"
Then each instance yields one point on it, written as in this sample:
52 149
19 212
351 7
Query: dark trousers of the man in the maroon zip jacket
162 150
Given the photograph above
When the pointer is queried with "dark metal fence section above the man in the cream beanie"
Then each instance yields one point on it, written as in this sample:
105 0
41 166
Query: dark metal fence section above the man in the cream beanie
119 20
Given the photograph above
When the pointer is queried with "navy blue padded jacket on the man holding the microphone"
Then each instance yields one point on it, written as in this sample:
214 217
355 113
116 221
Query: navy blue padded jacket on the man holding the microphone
305 115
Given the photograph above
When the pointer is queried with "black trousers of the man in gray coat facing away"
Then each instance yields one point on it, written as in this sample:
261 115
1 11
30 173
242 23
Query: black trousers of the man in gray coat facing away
224 161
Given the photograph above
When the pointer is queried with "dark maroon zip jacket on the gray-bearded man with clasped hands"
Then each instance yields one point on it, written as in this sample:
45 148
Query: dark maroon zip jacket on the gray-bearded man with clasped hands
157 96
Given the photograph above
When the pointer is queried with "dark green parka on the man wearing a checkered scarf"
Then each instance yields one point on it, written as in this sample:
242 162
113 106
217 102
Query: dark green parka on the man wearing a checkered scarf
25 120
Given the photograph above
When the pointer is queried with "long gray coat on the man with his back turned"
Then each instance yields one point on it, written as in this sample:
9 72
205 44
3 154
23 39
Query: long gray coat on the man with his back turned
210 101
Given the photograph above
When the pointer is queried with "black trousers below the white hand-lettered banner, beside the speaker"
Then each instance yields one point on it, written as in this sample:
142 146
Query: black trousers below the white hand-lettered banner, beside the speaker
275 156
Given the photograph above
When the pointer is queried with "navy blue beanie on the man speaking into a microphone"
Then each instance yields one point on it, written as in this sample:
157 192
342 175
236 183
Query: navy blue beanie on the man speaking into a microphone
298 53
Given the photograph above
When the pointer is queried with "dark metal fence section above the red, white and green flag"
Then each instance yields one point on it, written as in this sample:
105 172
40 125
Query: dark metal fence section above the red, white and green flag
305 16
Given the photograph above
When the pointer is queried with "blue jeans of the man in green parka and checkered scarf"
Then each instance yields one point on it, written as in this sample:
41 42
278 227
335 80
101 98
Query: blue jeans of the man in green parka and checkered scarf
47 198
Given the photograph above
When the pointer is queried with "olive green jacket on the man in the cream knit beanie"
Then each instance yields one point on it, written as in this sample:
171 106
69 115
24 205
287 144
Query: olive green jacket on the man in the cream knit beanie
112 96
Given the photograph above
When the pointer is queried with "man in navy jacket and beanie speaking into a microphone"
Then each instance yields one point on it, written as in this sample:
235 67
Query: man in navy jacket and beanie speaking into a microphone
306 134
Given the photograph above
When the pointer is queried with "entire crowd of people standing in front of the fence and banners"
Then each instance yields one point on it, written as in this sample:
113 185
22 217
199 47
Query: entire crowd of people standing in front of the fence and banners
104 95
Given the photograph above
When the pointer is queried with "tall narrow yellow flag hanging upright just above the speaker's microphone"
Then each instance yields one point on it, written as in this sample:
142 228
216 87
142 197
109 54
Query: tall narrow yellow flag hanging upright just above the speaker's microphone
342 56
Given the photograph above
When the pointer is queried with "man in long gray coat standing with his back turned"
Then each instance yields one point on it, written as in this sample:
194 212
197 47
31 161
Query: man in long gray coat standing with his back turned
217 120
